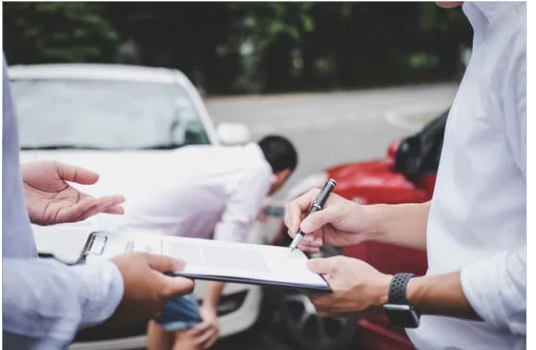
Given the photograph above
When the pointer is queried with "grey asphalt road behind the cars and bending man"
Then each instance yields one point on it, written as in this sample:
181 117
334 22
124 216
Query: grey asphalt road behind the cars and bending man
329 129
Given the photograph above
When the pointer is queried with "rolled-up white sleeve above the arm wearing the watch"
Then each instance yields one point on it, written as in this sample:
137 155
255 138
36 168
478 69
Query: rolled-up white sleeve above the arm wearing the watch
496 288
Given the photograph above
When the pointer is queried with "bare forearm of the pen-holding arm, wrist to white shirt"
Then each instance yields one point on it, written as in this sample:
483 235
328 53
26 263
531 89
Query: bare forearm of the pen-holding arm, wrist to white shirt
401 224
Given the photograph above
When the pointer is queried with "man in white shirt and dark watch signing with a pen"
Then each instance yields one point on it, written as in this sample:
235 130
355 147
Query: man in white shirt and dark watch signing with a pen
474 229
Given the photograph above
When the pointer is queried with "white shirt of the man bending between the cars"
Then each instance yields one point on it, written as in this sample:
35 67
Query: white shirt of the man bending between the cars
201 191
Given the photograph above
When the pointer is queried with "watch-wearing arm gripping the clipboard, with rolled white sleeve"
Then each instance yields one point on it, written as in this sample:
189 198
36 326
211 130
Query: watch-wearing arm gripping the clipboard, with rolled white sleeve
492 290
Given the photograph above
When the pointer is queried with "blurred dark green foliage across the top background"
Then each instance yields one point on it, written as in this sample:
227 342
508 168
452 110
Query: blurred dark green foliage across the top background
244 47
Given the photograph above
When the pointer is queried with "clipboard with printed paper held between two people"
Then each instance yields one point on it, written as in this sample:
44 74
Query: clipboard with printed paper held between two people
205 259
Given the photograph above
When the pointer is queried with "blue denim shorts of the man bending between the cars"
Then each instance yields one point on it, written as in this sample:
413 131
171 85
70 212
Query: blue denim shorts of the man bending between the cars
180 313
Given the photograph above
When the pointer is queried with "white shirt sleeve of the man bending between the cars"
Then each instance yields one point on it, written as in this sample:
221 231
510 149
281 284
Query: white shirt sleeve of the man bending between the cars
243 207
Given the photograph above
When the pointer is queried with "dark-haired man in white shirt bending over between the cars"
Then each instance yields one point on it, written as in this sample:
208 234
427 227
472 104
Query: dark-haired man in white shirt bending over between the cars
205 192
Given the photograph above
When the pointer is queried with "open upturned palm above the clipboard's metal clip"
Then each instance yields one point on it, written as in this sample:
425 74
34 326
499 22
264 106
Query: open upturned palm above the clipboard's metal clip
50 199
